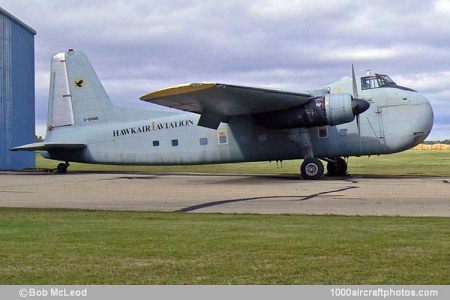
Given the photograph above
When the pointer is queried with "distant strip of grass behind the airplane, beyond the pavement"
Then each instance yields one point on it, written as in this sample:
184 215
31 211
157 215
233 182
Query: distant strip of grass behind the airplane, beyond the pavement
412 162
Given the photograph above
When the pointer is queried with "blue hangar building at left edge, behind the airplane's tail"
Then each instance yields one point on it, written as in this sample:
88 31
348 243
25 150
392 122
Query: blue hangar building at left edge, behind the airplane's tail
17 118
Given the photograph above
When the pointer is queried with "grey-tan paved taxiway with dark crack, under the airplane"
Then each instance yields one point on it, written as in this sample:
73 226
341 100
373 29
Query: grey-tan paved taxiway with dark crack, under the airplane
260 194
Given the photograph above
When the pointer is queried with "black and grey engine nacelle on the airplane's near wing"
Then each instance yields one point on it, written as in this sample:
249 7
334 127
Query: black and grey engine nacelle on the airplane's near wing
331 109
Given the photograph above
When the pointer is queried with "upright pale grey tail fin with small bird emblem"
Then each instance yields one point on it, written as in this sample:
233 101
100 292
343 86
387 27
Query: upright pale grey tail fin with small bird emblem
76 95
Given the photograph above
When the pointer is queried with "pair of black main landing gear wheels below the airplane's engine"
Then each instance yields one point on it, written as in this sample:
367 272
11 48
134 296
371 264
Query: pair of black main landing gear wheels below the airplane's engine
312 168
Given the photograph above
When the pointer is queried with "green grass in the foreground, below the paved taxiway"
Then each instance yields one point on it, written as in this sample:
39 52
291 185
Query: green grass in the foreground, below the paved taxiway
101 247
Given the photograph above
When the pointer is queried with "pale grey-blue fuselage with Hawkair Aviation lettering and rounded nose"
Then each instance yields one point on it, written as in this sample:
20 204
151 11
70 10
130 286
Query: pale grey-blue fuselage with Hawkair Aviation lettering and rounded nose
397 120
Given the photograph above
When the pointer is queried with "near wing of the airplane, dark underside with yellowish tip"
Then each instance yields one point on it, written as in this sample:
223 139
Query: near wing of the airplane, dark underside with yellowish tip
218 102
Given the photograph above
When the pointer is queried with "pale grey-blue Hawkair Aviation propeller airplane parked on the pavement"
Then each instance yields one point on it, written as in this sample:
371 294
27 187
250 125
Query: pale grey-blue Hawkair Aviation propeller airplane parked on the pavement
222 123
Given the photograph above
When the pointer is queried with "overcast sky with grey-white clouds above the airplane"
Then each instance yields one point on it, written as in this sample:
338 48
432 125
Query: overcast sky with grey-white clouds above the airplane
140 46
